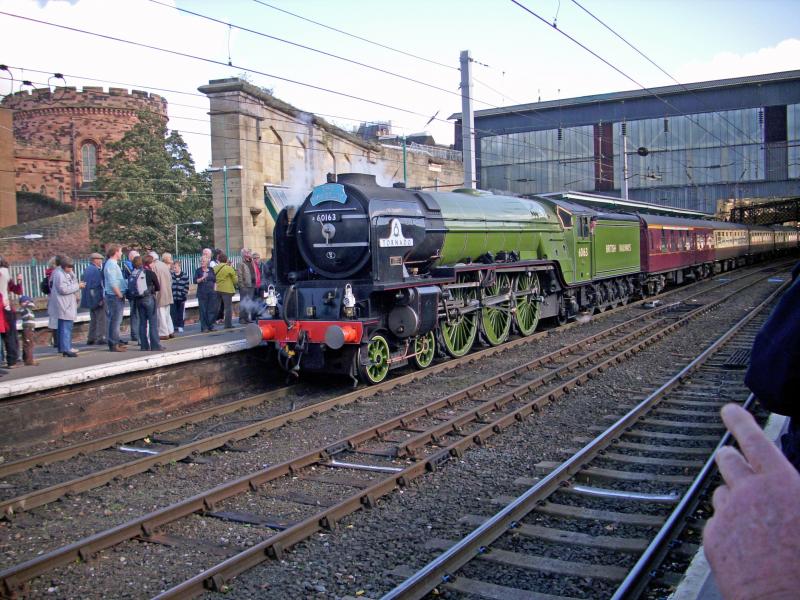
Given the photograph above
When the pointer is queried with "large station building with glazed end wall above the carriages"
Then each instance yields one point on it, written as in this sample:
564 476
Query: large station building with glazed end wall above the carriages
701 146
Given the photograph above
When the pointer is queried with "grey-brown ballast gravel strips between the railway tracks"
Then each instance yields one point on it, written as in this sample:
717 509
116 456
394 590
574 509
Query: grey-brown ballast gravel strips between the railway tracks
355 558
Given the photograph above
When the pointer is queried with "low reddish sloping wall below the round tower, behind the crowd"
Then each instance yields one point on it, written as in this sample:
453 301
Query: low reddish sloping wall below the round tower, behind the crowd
63 234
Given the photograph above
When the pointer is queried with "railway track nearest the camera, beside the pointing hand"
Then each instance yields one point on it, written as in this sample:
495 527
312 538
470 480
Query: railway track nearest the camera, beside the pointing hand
606 517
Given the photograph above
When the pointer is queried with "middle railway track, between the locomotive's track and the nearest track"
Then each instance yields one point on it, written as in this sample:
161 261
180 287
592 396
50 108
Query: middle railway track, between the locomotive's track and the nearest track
338 479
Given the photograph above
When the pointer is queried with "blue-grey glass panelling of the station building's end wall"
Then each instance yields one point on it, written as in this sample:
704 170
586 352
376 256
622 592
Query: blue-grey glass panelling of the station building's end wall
724 147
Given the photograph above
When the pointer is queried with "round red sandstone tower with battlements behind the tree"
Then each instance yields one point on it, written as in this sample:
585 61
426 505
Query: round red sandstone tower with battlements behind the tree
62 136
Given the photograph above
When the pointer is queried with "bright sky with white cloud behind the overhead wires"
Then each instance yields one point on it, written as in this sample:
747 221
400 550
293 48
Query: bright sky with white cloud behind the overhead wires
518 58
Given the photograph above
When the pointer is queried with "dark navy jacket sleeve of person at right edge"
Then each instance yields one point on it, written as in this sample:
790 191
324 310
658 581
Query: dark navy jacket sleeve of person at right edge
774 373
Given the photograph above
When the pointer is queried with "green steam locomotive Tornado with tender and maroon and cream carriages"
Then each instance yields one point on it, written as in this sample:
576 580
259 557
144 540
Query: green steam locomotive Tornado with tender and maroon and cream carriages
369 278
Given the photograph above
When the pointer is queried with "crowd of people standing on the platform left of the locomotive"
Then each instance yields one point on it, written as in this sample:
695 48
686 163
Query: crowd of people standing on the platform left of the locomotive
154 287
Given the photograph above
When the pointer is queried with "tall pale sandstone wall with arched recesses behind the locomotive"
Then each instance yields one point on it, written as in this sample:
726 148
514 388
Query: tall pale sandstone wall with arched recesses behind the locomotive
276 143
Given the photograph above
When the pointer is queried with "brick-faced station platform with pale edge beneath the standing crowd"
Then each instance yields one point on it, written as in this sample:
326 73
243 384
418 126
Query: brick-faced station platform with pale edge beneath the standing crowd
60 396
